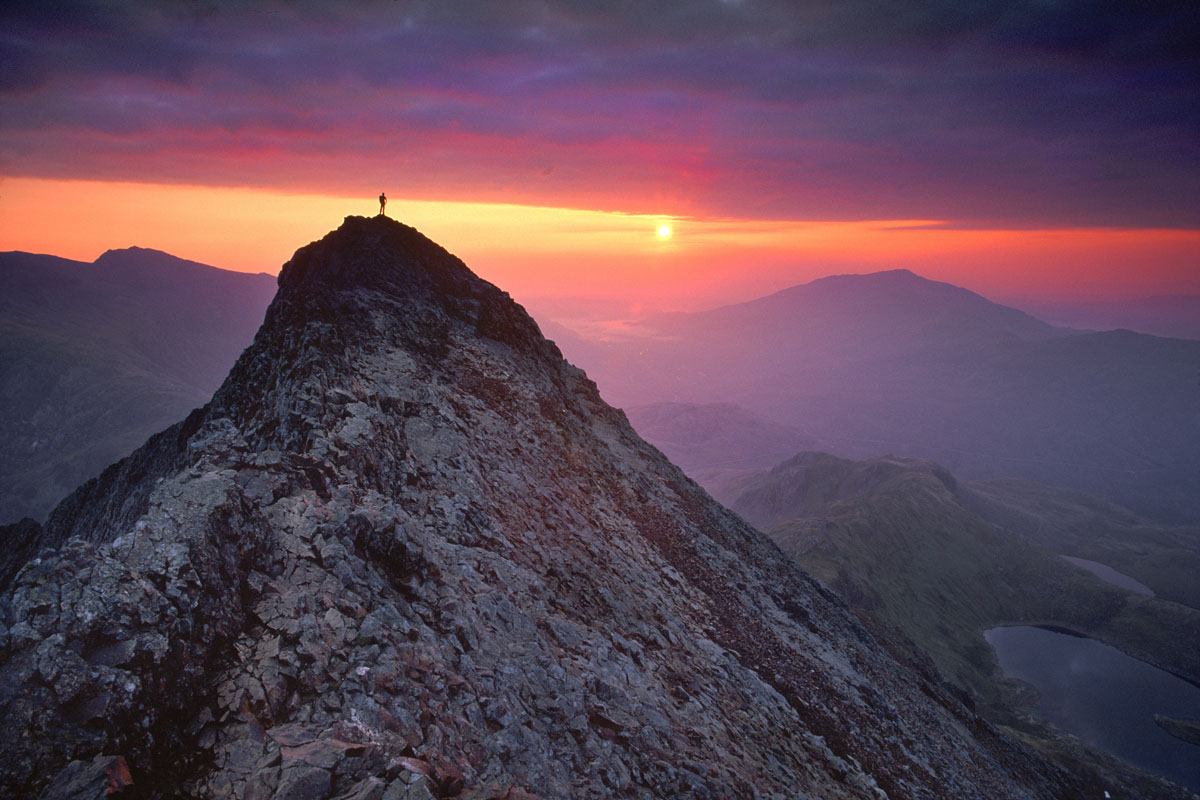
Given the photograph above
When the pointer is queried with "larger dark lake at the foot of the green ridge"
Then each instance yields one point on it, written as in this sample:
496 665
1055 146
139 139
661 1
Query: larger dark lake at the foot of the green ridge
1105 697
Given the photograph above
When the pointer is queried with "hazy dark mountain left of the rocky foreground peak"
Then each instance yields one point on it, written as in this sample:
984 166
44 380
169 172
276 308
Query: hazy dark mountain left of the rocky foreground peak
95 358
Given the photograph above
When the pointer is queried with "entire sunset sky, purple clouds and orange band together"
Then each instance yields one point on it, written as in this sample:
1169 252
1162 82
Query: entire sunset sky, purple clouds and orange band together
1028 152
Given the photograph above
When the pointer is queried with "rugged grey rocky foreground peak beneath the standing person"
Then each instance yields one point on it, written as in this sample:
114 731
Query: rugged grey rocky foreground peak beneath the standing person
407 552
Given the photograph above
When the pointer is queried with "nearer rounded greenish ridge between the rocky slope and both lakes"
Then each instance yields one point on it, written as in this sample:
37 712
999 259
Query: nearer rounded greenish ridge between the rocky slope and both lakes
892 537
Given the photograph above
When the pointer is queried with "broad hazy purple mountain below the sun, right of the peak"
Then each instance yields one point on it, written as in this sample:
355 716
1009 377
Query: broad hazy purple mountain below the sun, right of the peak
896 364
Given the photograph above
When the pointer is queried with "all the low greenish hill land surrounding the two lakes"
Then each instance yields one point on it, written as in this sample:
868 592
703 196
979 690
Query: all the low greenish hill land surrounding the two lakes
927 560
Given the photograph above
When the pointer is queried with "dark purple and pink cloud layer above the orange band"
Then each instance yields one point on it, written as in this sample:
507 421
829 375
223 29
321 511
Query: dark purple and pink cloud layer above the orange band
968 110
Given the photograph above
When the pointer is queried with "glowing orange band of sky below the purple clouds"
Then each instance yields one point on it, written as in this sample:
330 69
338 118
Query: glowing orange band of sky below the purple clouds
537 252
